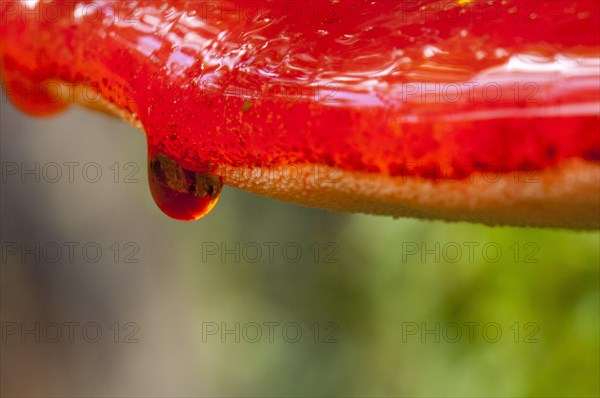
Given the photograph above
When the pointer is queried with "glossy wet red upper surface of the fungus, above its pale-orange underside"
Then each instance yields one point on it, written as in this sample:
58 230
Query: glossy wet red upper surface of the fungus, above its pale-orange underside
392 87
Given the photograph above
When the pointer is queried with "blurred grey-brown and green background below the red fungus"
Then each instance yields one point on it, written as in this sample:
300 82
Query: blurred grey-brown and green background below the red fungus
371 301
